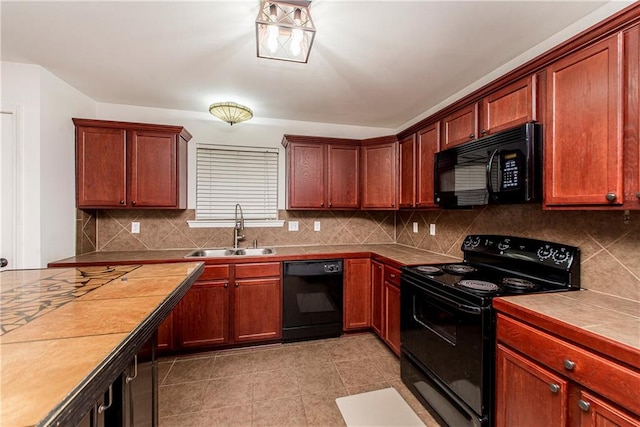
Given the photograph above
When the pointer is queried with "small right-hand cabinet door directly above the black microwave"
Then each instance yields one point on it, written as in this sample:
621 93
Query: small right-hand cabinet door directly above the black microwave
510 106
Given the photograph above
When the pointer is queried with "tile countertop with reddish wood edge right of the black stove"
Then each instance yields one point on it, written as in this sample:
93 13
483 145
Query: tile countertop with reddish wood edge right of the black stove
604 323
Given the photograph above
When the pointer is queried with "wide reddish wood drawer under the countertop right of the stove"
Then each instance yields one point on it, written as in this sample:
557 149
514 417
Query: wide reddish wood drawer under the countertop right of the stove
609 379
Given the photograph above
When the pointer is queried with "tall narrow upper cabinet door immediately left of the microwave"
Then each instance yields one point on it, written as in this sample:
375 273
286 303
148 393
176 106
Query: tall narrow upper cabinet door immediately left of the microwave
427 145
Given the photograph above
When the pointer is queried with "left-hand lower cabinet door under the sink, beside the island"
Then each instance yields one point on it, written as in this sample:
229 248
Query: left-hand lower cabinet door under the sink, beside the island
204 315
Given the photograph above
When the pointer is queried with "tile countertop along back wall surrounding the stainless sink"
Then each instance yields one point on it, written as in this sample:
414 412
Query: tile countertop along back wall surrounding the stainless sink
397 255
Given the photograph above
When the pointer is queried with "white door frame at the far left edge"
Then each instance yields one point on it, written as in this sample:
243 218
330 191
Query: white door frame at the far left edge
16 200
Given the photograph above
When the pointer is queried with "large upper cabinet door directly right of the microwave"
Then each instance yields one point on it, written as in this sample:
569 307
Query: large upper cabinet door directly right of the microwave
583 135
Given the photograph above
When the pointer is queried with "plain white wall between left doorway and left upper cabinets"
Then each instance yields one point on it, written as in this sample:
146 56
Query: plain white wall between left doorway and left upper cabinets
46 105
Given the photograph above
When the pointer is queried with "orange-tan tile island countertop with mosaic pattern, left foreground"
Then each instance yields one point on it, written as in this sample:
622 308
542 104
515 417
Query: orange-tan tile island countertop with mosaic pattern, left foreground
67 333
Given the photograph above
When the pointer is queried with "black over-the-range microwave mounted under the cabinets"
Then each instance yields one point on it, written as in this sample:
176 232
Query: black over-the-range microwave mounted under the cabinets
505 167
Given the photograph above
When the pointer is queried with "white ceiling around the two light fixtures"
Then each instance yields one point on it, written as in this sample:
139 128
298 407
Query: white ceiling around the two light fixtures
373 63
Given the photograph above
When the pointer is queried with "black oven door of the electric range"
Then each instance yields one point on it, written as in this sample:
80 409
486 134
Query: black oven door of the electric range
452 339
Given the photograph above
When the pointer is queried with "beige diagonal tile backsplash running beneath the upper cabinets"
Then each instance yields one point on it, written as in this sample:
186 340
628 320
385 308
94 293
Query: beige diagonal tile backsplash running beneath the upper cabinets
610 247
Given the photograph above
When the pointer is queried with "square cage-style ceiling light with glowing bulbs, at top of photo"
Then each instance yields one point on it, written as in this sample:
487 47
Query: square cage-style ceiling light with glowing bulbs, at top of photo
284 30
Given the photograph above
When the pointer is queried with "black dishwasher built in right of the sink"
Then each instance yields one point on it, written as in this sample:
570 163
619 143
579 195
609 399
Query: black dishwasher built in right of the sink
311 300
